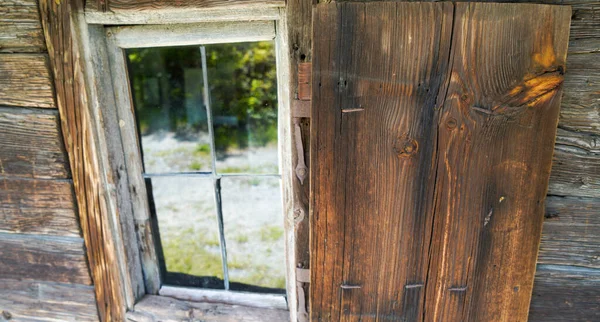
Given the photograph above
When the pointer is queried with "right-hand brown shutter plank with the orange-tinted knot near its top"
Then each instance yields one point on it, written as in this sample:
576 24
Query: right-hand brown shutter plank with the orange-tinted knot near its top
495 145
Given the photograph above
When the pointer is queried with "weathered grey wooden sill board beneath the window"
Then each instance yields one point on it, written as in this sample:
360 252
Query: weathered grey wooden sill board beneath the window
154 308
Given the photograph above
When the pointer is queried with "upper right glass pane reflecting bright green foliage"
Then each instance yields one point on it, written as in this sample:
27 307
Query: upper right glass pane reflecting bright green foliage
243 98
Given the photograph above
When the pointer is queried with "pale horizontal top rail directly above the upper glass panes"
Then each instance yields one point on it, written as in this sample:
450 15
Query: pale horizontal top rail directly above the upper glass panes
191 34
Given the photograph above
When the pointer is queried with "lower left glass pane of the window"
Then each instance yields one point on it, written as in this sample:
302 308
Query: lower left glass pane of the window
188 229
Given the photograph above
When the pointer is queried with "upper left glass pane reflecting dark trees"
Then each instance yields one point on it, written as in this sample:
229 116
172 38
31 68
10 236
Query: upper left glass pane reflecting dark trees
167 86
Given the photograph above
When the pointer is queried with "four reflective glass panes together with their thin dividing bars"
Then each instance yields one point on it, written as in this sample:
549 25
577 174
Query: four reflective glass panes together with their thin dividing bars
216 146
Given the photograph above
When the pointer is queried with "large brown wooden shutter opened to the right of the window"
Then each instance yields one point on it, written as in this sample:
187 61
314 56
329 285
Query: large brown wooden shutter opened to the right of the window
433 128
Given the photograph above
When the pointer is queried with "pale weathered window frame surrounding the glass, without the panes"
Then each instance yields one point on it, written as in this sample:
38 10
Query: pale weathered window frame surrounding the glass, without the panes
108 72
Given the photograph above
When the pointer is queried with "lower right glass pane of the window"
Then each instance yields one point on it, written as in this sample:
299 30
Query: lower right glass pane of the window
253 219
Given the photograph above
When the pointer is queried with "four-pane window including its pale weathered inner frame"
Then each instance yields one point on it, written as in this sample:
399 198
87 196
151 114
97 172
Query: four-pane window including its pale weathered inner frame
204 124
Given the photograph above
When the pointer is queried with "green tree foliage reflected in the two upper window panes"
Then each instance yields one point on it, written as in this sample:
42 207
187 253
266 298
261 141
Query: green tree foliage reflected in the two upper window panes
243 92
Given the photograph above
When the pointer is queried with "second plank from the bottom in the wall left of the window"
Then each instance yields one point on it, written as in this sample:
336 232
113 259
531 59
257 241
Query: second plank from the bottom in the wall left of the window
45 258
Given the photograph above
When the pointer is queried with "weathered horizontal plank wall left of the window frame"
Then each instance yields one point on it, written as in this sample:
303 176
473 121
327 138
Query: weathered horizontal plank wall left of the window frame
44 275
